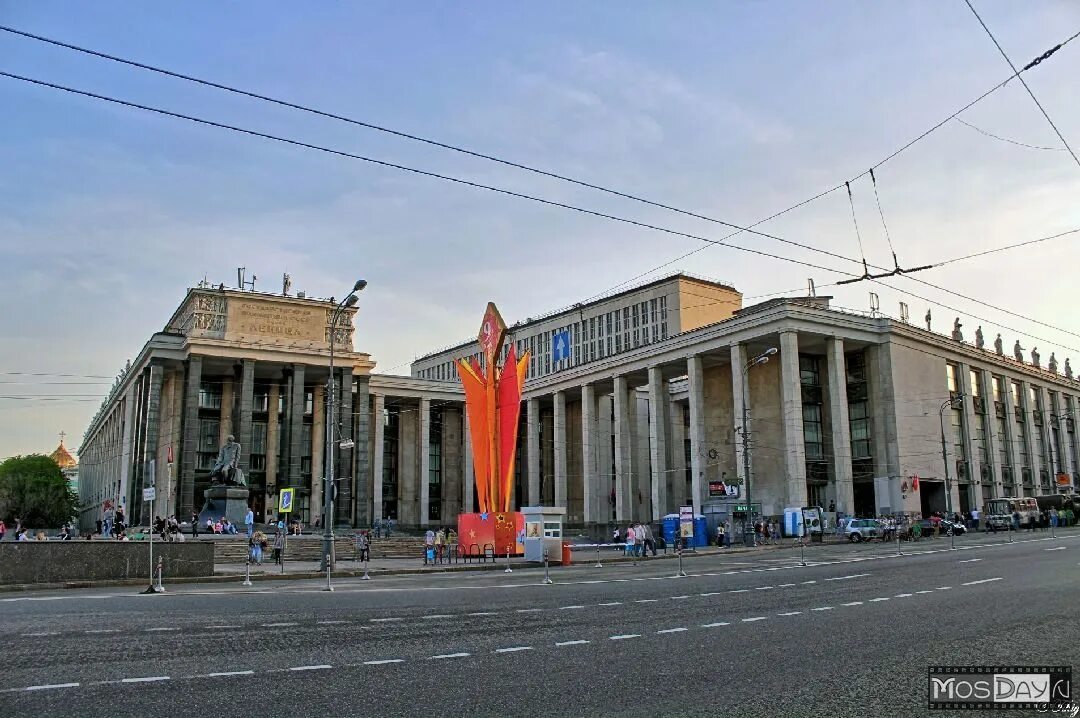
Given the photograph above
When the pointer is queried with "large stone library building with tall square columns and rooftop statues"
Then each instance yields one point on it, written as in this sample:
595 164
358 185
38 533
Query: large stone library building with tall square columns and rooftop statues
636 404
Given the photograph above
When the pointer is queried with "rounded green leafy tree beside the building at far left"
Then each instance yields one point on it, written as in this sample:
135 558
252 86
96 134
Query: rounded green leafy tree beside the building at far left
34 489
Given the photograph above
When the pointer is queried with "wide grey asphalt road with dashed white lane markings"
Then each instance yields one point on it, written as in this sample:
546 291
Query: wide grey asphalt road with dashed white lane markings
752 635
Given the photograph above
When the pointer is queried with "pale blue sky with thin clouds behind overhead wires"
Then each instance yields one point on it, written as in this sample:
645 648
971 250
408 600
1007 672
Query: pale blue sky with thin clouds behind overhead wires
735 111
